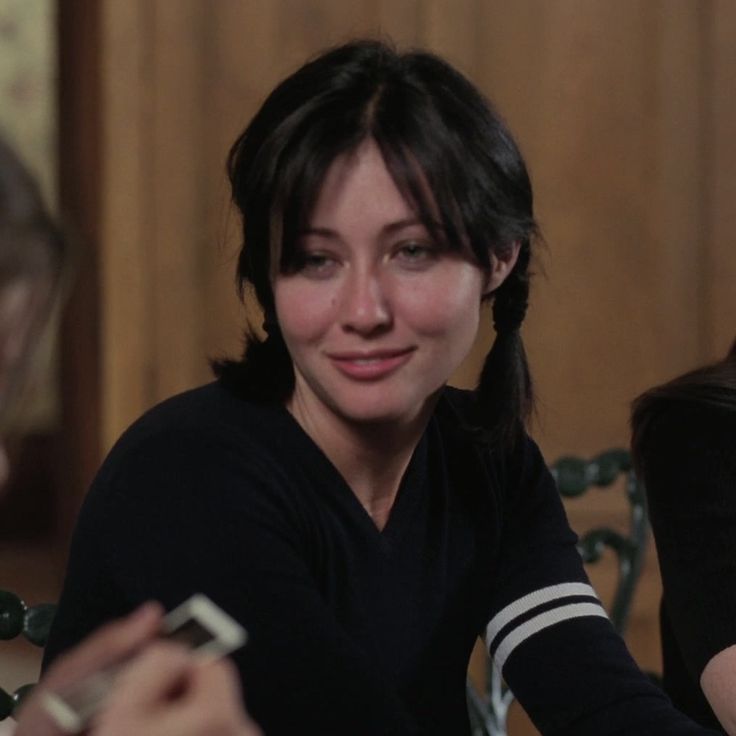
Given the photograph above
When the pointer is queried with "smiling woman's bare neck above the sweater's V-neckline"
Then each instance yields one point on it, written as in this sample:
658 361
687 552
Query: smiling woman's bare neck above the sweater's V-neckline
372 457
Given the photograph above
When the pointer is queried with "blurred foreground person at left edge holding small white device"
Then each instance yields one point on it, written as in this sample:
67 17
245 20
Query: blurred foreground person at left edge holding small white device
32 257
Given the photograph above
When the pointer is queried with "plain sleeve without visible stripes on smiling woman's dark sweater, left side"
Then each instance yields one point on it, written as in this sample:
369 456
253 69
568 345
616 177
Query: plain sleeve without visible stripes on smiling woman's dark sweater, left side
180 515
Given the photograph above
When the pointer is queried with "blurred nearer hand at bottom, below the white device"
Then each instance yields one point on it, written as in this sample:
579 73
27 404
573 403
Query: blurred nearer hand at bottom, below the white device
165 691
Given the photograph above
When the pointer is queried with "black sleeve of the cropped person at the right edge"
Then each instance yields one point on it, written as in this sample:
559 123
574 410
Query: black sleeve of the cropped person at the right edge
689 459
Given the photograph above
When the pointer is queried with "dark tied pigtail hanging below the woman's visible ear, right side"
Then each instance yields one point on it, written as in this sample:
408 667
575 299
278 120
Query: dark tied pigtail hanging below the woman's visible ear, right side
504 393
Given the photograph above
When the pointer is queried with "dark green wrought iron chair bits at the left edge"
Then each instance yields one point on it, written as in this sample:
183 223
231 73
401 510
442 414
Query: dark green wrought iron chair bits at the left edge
33 623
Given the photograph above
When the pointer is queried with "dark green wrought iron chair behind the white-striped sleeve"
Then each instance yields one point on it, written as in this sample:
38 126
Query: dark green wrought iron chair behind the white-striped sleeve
489 709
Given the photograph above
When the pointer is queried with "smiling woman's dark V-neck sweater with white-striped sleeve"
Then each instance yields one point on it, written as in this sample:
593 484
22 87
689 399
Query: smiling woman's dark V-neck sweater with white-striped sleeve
355 630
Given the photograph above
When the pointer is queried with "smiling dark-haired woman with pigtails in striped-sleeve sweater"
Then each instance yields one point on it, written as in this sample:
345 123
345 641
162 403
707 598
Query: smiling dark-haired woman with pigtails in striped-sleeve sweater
364 521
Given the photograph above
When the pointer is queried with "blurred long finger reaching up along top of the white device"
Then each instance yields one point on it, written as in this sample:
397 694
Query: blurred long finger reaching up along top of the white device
107 646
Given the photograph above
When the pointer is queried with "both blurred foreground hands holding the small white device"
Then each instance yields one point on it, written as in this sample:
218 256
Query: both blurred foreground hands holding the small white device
163 690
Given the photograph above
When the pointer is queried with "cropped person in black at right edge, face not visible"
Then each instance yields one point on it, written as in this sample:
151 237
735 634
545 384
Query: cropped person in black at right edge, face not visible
684 444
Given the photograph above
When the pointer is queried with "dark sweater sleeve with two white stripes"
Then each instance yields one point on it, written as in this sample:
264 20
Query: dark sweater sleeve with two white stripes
548 632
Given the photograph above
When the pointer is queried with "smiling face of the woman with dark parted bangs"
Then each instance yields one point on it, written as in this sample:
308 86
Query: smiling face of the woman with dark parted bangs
376 315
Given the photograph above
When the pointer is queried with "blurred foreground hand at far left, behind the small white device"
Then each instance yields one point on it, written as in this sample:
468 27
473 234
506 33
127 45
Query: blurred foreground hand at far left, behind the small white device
107 646
